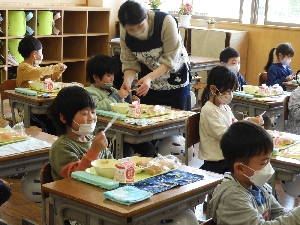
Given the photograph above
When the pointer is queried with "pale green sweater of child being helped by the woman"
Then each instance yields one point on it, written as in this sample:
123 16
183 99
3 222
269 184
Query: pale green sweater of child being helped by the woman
102 99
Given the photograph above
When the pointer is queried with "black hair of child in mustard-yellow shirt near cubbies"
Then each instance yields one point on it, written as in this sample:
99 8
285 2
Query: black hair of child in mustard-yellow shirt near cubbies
27 45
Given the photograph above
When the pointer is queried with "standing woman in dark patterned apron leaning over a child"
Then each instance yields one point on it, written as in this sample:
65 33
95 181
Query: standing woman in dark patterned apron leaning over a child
152 47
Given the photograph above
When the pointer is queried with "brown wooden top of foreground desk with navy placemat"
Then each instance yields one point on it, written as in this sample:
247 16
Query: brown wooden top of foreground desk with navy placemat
92 196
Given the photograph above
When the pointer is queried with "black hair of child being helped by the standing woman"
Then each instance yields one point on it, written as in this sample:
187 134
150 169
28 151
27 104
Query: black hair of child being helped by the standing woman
99 65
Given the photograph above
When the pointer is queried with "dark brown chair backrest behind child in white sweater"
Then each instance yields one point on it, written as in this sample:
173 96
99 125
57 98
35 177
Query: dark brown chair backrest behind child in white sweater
191 133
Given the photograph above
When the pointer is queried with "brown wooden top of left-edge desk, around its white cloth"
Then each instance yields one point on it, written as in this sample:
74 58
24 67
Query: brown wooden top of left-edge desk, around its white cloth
36 134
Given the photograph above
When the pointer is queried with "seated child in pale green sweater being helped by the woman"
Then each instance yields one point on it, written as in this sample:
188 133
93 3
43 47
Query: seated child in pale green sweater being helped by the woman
100 70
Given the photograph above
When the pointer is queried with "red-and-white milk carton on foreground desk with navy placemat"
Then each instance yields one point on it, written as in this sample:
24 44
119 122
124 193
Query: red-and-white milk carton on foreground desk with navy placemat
125 171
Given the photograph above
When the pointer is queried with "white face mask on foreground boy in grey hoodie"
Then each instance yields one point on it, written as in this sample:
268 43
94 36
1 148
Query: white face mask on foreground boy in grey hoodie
260 177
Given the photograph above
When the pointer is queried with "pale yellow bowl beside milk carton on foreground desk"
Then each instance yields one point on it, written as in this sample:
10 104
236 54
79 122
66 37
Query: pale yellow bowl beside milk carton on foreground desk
105 167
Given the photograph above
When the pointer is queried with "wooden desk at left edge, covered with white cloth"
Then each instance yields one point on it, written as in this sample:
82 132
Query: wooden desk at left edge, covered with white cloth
29 160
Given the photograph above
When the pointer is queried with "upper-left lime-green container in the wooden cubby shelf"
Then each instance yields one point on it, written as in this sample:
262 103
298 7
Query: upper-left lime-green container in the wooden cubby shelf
16 23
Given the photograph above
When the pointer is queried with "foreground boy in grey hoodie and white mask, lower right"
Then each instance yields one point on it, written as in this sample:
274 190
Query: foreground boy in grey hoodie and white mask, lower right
243 197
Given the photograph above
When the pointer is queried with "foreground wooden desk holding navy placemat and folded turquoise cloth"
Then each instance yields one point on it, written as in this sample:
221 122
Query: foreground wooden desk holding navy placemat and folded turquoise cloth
85 203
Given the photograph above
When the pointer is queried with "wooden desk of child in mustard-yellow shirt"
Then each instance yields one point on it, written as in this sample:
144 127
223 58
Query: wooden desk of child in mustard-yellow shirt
30 104
